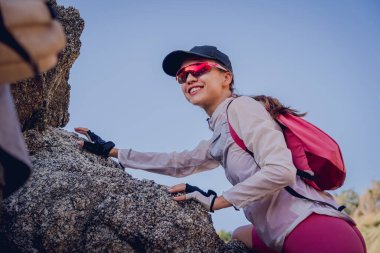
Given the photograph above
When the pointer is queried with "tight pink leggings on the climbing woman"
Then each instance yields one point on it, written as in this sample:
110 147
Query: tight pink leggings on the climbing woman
316 234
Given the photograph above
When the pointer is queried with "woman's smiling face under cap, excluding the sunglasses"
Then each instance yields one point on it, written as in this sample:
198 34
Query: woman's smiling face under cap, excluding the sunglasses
209 89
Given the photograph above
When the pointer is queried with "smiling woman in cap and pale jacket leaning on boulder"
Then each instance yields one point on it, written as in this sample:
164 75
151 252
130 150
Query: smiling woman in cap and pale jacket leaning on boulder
280 222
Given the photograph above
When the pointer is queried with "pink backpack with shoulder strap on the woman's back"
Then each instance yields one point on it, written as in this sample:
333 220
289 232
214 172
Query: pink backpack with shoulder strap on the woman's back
316 155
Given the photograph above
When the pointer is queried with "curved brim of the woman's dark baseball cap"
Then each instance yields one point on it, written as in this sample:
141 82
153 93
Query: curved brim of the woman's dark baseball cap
174 60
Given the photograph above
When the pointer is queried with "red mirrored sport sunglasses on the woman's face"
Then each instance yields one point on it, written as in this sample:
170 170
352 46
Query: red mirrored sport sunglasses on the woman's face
196 69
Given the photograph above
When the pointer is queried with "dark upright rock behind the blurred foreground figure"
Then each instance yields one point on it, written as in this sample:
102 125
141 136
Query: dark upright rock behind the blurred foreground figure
46 104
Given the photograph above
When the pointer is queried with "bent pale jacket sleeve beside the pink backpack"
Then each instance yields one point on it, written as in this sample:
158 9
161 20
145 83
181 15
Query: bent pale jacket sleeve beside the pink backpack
264 137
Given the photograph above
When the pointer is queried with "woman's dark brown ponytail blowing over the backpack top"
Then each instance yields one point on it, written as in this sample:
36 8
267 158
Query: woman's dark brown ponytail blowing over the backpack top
275 107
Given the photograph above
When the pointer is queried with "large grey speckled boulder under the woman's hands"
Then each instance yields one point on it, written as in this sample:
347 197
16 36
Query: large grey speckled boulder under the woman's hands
78 202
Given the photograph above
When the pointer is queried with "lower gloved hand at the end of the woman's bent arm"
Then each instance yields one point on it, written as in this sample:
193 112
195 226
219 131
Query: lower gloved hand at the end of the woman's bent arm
193 192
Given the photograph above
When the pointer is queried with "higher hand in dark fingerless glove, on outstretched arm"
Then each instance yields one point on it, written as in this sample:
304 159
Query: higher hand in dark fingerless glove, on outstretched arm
96 145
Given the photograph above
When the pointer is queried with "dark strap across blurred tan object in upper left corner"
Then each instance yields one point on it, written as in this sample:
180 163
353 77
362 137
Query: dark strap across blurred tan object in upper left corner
8 39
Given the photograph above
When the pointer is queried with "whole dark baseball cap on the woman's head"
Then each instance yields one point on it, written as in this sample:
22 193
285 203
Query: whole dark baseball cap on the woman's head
174 60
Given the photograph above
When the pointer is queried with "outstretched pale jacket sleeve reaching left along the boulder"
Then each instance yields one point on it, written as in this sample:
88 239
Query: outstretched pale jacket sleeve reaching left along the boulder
174 164
